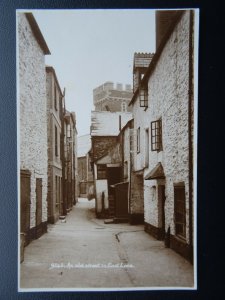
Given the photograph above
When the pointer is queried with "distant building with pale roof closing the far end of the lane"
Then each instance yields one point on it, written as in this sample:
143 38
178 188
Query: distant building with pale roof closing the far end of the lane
85 175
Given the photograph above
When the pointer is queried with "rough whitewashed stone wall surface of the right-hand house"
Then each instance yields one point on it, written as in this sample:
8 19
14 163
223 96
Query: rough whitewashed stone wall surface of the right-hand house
168 100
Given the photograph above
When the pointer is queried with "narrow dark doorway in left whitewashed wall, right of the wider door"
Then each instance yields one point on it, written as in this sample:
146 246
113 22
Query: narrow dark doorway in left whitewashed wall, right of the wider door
38 207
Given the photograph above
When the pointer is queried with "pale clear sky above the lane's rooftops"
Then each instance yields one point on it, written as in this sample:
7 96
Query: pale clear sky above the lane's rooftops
90 47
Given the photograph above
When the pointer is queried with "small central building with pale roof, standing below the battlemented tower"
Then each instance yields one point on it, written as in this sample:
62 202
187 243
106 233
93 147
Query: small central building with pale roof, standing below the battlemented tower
106 154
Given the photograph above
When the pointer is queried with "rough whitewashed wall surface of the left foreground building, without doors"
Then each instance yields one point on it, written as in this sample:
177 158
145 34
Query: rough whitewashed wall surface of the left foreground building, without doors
33 115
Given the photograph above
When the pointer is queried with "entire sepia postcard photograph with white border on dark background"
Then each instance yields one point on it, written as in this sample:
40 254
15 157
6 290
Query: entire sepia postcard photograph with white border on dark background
107 109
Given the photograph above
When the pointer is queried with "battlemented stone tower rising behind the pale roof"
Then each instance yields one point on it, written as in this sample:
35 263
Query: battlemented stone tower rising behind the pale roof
108 97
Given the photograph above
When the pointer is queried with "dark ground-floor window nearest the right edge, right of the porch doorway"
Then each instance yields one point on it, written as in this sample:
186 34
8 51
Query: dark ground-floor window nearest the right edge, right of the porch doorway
180 211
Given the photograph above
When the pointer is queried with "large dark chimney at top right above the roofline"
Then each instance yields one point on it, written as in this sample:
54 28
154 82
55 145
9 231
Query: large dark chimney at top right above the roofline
163 19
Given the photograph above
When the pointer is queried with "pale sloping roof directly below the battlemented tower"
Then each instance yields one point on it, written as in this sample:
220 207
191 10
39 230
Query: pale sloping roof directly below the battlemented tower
105 123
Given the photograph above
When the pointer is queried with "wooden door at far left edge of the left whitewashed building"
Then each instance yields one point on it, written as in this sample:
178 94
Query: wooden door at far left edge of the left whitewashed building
25 203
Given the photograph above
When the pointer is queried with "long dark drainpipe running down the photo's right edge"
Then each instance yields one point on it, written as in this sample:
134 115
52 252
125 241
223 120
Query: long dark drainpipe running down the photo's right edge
190 139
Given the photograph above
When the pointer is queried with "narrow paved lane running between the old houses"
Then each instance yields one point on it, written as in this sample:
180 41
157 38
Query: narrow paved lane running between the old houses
83 252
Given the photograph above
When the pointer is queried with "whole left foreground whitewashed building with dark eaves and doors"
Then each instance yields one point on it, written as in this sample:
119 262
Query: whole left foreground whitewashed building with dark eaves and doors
32 137
